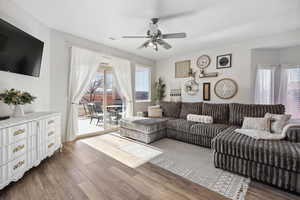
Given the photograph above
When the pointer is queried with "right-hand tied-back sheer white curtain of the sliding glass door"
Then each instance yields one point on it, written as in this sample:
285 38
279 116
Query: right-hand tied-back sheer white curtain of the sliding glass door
123 72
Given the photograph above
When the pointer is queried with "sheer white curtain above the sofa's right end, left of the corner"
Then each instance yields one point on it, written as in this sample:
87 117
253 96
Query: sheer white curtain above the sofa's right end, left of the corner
265 84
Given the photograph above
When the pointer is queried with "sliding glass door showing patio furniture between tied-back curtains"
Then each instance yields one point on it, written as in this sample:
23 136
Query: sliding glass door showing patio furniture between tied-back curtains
101 107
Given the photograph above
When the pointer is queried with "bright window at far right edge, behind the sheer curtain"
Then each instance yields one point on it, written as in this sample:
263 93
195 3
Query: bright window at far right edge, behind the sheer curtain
293 92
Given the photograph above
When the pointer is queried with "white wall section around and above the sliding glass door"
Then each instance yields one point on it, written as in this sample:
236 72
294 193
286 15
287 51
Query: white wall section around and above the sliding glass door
60 58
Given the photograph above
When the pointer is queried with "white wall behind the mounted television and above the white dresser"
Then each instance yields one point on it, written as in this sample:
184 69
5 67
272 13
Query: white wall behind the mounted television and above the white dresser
39 87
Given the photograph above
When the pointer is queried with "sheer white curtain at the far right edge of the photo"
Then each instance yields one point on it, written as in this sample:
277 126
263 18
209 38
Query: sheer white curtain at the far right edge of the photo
289 93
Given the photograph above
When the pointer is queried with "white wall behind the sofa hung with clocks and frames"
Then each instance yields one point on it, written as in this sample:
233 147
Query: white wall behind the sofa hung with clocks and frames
242 61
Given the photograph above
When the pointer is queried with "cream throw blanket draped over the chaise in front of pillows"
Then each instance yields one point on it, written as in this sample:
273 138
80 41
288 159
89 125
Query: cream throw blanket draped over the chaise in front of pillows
265 135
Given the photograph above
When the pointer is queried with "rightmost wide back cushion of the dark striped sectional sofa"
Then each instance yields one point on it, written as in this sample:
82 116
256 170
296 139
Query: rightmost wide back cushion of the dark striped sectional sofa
237 112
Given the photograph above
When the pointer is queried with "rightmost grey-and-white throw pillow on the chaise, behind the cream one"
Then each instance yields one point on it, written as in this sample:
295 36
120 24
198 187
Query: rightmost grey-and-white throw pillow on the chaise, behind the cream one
278 122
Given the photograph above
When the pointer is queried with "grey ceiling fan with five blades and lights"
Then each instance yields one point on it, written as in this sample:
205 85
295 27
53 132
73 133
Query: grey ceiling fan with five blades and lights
156 37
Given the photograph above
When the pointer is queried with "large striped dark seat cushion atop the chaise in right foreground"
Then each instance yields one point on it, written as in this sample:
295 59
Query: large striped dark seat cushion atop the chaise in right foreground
277 153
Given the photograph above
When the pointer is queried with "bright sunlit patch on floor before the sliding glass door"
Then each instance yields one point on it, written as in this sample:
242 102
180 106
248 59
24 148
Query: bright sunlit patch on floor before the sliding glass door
128 152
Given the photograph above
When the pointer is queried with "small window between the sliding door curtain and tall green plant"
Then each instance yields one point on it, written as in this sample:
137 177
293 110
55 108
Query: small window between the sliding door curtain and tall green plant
142 83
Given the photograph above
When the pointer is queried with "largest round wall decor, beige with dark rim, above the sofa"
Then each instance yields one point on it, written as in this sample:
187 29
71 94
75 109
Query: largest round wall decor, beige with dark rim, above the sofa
226 88
